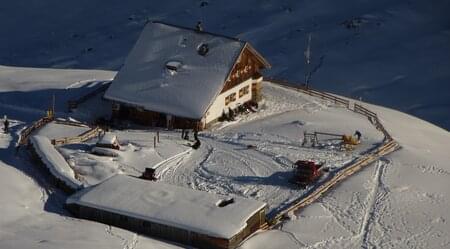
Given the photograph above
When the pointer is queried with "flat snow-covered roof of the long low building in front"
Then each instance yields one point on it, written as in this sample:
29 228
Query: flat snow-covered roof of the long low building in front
170 205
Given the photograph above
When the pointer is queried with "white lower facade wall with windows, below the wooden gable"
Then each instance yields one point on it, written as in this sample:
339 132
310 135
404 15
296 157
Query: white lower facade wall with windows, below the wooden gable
218 106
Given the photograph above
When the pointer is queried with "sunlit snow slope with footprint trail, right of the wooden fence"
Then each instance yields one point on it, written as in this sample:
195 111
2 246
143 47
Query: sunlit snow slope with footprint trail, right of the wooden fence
400 202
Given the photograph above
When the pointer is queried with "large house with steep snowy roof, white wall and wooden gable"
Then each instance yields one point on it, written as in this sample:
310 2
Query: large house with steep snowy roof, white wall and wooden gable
179 77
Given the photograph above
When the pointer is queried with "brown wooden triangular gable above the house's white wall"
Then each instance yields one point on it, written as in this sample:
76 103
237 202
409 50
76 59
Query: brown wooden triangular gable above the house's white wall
247 66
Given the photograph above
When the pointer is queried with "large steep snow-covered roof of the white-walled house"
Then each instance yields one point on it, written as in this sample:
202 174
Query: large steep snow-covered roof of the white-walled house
165 72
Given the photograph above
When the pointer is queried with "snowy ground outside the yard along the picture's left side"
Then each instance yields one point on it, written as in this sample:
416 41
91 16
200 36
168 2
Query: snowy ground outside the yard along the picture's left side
32 209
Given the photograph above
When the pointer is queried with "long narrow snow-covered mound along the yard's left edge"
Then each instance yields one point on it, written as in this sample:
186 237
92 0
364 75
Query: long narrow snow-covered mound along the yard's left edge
54 161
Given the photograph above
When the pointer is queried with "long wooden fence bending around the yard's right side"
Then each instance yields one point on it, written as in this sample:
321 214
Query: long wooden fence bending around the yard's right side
389 145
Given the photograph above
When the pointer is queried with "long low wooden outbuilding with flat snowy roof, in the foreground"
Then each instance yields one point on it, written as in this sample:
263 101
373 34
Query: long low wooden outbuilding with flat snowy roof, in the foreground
182 215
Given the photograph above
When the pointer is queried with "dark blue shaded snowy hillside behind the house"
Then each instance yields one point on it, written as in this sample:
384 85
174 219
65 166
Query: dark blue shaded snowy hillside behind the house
393 53
